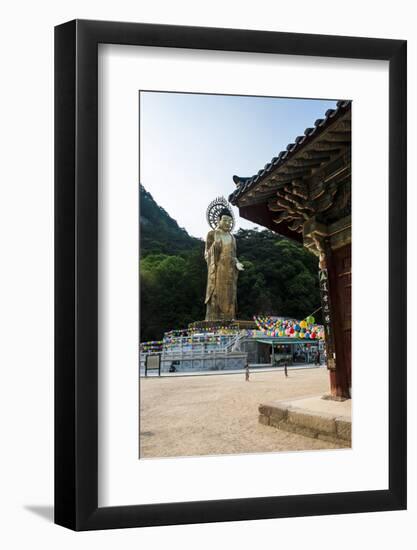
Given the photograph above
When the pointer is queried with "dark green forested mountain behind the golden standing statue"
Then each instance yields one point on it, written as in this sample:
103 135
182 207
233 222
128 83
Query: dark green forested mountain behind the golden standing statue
280 276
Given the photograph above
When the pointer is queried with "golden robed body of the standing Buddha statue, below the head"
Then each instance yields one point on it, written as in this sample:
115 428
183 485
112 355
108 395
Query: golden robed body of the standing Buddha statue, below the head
221 277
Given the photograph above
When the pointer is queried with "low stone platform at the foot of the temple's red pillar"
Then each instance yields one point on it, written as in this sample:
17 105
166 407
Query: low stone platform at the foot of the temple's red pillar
312 417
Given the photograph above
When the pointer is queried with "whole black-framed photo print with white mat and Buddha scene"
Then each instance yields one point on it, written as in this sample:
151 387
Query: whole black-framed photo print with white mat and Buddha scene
230 275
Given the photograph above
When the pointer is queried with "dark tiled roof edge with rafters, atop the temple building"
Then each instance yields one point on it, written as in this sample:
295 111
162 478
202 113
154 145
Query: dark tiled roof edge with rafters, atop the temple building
296 163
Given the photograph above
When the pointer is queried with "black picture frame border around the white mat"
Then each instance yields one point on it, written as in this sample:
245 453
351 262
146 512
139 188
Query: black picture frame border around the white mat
76 271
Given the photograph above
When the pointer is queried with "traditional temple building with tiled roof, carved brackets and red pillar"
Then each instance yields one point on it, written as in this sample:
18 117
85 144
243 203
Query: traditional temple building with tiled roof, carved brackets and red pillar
304 194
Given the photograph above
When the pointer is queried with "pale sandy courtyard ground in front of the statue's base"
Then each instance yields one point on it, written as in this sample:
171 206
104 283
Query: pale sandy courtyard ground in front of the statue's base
218 414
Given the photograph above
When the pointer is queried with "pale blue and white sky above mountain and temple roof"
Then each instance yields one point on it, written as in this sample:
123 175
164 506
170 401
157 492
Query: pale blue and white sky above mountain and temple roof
192 144
